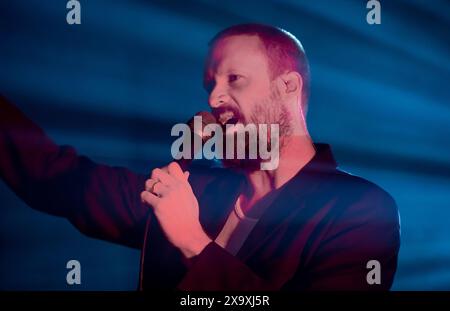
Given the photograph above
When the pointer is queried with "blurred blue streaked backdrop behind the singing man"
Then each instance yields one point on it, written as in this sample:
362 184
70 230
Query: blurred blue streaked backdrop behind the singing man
113 86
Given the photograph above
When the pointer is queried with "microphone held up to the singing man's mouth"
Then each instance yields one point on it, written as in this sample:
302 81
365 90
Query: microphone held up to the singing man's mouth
196 134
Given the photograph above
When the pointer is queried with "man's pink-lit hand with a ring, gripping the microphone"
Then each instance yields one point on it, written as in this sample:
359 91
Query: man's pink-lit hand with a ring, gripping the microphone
175 206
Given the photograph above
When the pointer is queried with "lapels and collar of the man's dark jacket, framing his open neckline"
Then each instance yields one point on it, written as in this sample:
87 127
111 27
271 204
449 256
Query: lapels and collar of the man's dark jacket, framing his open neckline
221 196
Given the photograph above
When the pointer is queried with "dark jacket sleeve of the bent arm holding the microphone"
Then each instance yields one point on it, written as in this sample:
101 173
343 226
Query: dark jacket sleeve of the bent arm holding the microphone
367 230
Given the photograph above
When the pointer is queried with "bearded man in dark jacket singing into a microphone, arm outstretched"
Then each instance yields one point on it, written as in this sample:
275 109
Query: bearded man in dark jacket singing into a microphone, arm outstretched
303 225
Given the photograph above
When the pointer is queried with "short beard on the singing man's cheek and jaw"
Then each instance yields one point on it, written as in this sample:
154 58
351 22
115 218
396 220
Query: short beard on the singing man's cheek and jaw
269 111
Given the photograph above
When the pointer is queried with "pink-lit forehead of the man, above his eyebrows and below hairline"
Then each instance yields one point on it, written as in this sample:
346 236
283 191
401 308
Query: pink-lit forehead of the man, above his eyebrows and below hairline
240 52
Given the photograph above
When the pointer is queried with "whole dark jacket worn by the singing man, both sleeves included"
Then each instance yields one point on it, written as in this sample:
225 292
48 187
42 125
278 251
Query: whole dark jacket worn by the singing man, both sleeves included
319 233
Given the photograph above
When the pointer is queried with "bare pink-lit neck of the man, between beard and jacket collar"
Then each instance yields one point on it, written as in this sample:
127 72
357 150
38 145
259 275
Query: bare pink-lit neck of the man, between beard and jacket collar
295 153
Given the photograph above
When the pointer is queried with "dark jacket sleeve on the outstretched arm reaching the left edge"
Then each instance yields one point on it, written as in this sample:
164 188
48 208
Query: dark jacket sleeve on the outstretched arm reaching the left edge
101 201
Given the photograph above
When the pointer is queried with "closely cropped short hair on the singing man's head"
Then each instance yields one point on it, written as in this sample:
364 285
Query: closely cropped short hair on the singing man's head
283 50
